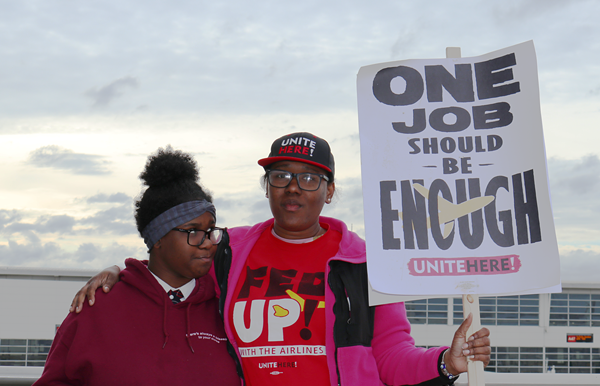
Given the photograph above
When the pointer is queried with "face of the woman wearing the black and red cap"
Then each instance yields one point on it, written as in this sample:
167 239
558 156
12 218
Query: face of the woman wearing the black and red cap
297 211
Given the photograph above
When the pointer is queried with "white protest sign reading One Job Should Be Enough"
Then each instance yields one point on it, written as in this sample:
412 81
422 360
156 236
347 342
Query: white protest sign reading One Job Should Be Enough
454 176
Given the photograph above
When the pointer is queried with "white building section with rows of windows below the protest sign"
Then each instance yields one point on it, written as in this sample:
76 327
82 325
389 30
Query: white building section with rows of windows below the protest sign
543 339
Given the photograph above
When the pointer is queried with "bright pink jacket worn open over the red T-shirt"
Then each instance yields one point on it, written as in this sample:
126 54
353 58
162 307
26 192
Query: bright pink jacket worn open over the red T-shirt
391 358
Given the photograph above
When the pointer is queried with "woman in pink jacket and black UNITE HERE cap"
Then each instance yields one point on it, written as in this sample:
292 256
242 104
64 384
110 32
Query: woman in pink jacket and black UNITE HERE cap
295 299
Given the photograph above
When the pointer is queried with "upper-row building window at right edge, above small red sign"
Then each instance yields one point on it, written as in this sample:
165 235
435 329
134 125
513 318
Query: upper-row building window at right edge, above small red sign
568 309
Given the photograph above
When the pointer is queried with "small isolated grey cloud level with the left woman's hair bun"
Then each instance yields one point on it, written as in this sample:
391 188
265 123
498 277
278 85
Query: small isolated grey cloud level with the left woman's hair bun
56 157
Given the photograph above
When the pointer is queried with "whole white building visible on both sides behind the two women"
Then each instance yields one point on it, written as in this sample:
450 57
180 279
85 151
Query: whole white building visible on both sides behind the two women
536 339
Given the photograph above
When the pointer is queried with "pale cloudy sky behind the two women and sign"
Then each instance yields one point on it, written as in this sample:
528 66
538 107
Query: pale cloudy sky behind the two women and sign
89 89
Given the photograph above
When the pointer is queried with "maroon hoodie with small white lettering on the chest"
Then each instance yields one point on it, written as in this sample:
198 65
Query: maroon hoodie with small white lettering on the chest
134 335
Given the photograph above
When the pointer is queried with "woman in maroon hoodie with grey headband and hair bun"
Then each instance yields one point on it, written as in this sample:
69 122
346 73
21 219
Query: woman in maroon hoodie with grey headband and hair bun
160 325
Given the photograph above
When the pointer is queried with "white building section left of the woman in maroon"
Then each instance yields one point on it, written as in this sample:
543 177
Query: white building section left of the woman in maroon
33 302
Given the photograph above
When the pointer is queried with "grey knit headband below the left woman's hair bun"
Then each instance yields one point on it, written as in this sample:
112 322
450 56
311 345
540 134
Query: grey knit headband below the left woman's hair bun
177 215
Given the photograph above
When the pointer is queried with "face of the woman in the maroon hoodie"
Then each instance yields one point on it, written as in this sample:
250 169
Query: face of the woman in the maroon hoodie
175 261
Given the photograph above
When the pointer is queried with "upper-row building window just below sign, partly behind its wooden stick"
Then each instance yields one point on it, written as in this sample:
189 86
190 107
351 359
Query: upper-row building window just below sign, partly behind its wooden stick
521 310
